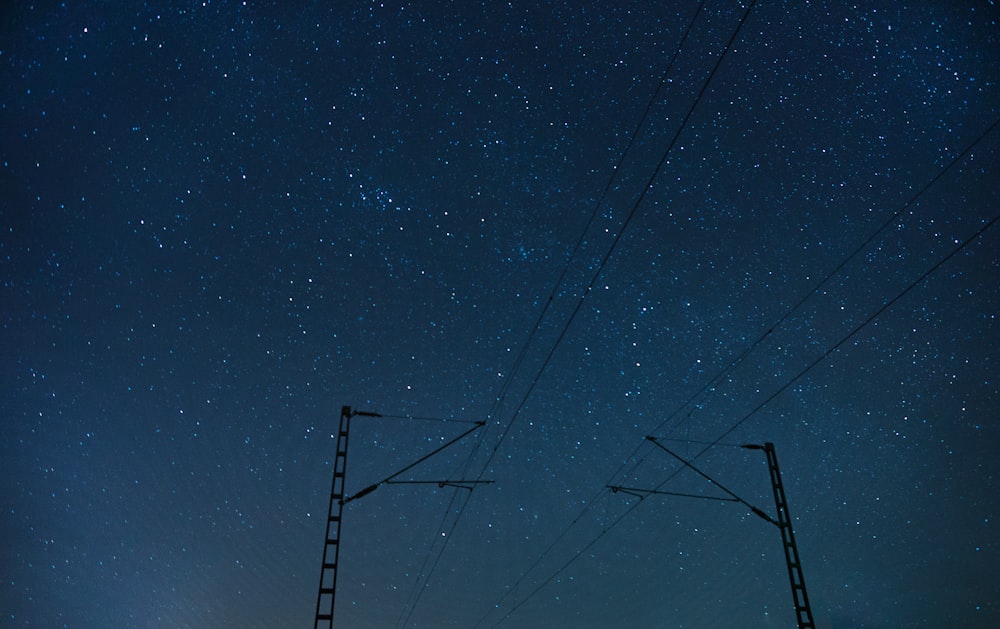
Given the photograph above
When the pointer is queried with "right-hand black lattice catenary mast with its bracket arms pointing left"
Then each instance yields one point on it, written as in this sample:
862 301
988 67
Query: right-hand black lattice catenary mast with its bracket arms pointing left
803 613
